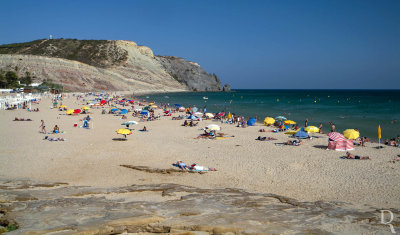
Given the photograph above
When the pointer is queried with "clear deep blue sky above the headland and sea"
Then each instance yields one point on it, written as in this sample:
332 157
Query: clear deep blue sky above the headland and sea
249 44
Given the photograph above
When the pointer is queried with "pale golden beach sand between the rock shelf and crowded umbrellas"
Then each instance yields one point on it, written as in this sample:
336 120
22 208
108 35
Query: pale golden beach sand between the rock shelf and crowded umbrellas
92 158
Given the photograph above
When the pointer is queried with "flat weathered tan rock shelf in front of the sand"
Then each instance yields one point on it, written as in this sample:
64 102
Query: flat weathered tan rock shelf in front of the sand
57 208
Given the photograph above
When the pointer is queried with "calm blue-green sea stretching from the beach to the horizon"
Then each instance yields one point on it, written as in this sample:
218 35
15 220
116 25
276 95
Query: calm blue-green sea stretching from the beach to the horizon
347 109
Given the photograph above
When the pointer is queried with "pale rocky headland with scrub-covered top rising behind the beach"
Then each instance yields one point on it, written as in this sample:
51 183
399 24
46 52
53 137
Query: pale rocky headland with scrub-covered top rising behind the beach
87 65
